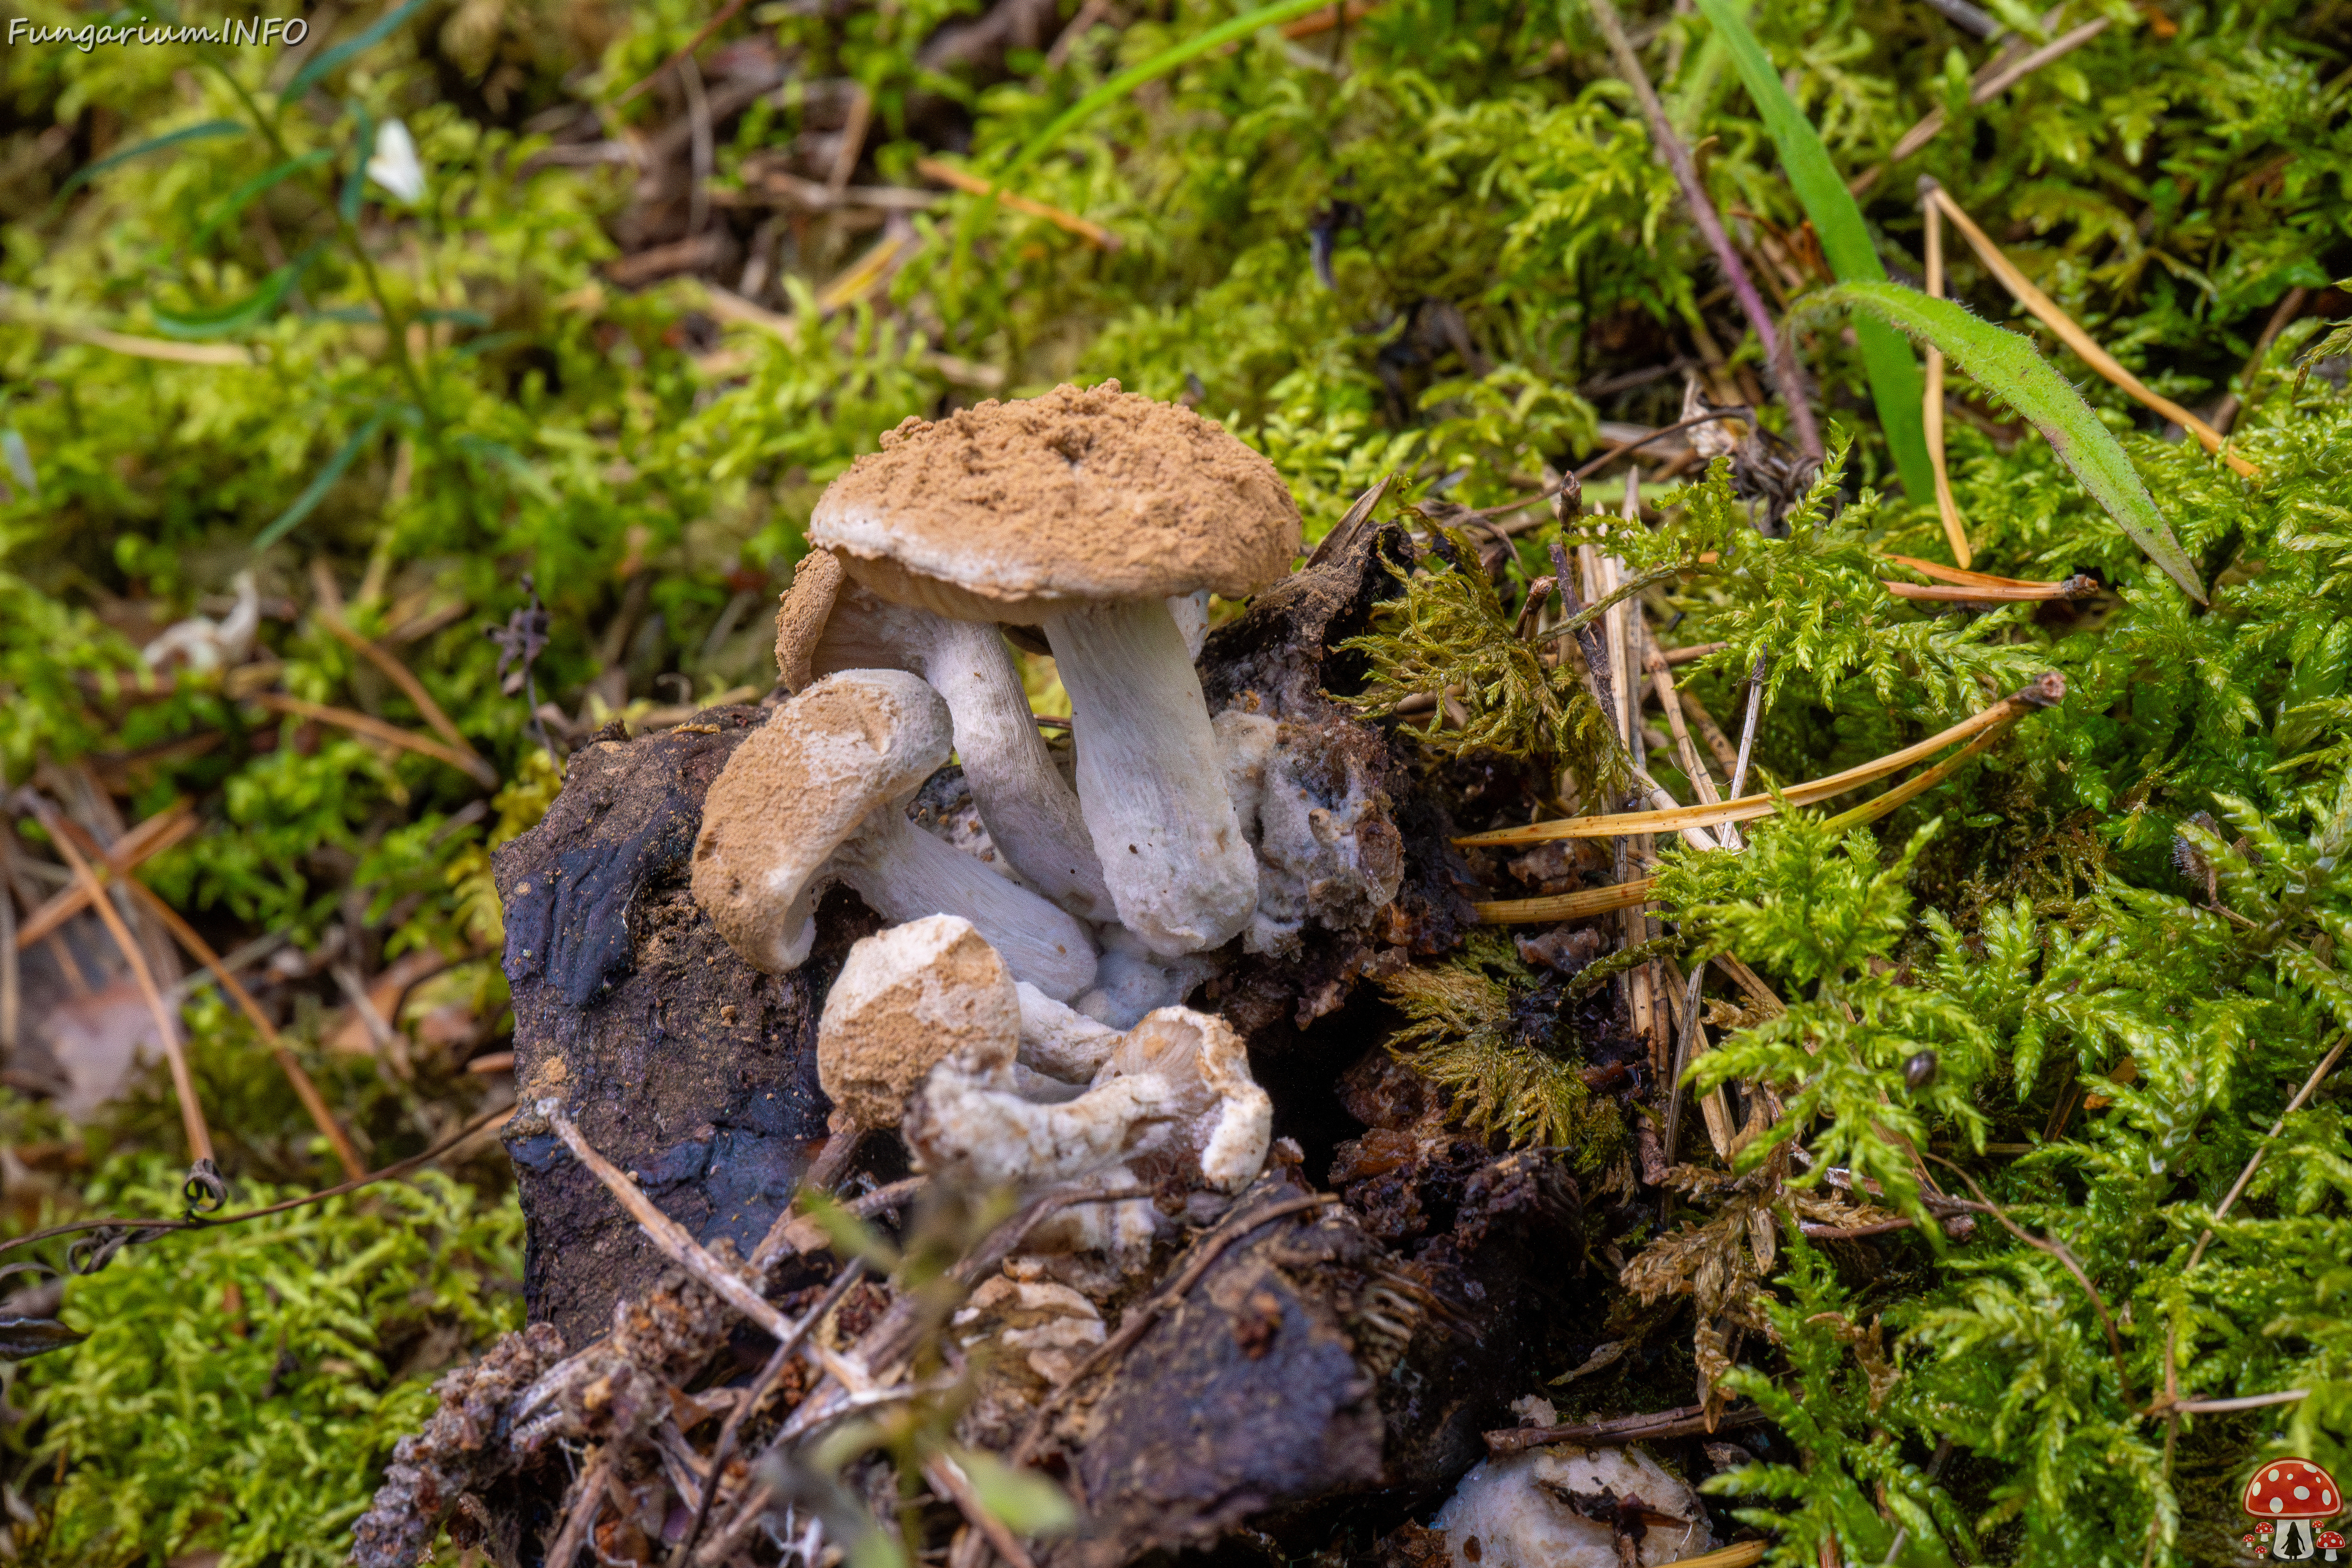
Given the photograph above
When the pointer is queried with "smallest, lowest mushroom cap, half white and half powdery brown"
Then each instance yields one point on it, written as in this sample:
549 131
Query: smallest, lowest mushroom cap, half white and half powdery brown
907 1000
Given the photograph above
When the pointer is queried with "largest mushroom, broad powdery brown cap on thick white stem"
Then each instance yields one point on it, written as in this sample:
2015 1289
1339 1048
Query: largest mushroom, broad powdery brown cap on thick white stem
1085 511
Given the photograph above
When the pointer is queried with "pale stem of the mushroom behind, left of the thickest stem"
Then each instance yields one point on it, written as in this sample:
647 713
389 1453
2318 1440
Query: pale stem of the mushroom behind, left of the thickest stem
1031 815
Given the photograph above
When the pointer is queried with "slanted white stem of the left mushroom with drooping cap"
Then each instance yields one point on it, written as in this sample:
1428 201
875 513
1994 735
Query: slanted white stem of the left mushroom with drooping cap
904 873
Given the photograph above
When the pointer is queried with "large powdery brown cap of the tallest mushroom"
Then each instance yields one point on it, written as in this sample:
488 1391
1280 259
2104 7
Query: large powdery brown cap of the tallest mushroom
1013 511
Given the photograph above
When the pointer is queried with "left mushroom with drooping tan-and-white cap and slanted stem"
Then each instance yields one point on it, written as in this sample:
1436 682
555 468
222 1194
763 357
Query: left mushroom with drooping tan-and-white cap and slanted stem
817 796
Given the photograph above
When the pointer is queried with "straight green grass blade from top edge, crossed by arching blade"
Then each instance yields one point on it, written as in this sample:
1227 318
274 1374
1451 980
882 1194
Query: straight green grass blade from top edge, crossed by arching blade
1895 375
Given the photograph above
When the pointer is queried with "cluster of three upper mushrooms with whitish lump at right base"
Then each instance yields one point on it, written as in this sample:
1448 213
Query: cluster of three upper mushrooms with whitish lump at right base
1114 876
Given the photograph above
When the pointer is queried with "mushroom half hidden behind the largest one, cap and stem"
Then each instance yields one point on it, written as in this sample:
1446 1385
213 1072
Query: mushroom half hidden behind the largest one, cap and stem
829 624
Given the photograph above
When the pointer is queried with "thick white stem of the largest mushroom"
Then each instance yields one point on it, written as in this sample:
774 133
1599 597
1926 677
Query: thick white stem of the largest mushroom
1149 777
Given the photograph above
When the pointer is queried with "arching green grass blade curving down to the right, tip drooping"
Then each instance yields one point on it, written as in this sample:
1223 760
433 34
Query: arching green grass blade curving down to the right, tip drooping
2010 368
